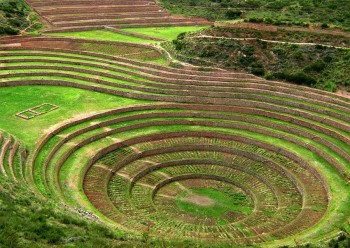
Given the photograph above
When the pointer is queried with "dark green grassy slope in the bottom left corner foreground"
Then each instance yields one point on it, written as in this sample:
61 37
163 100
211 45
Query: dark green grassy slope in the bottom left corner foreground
27 221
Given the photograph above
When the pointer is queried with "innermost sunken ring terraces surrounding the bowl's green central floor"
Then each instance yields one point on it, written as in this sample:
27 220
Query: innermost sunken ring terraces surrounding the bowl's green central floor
160 170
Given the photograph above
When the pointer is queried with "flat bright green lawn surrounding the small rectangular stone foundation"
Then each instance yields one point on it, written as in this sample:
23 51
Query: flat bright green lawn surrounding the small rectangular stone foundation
71 102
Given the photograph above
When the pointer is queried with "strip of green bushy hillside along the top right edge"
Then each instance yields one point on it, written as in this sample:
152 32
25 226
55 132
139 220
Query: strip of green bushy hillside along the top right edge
298 12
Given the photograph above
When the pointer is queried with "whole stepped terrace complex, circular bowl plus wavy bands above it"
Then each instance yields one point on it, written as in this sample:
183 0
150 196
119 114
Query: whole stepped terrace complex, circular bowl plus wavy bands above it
219 155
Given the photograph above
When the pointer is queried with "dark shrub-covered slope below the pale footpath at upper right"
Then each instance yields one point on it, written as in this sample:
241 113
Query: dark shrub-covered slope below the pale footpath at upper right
315 66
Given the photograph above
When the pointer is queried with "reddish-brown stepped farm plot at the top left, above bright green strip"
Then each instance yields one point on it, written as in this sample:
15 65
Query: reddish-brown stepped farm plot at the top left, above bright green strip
89 15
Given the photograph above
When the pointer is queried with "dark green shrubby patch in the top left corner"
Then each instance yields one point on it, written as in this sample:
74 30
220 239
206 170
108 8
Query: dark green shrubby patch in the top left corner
16 18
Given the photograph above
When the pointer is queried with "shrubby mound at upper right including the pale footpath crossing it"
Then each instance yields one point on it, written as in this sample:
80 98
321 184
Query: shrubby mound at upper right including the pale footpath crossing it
271 55
